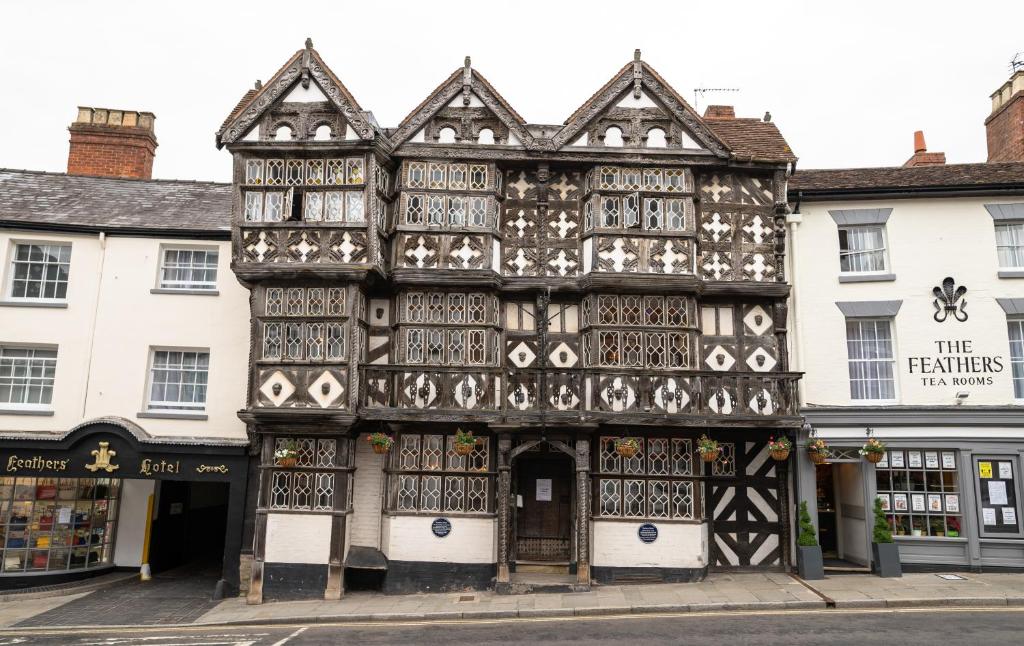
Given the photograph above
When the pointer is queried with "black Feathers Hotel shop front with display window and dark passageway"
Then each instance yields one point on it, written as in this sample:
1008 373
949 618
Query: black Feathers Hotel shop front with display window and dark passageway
108 496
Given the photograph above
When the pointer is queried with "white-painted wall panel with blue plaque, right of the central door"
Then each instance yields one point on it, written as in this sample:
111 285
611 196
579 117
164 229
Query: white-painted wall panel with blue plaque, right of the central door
616 544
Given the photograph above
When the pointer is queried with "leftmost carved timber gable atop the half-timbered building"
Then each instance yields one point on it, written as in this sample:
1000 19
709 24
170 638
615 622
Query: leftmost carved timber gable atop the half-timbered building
304 96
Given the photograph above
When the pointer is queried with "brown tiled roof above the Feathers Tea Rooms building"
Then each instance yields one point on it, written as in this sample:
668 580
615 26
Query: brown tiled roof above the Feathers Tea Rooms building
949 177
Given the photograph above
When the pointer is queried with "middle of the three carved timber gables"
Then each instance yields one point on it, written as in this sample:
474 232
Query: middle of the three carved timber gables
459 111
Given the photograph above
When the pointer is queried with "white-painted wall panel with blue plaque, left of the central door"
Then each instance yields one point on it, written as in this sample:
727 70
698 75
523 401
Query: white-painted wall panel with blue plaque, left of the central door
410 539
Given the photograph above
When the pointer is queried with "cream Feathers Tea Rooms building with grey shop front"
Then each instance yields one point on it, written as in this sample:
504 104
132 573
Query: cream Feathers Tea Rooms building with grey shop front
909 311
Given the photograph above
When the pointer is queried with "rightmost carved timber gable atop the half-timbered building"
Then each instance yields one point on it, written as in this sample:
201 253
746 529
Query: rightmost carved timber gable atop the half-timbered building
645 109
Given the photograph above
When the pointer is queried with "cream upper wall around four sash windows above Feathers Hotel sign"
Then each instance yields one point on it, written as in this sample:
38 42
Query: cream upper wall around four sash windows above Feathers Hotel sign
112 320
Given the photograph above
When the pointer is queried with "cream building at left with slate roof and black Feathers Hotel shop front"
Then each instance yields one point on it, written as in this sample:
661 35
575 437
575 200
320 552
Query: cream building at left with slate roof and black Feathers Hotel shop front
123 353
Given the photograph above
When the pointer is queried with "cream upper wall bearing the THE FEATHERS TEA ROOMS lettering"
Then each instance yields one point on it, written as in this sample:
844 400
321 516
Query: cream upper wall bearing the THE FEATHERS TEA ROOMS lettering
928 240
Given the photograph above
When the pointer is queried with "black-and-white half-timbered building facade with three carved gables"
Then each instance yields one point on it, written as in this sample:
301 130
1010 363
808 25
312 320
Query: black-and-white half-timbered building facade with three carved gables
547 288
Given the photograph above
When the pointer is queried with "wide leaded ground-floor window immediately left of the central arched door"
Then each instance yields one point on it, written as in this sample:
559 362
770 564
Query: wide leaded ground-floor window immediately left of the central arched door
431 477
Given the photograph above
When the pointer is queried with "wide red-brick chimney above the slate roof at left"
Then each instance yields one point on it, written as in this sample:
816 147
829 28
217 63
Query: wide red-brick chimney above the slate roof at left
112 144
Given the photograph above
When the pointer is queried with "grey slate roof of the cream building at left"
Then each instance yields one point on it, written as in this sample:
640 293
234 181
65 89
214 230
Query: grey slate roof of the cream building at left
146 206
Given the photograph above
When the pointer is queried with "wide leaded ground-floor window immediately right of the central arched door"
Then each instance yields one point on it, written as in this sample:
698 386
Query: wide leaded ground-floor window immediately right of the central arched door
656 484
